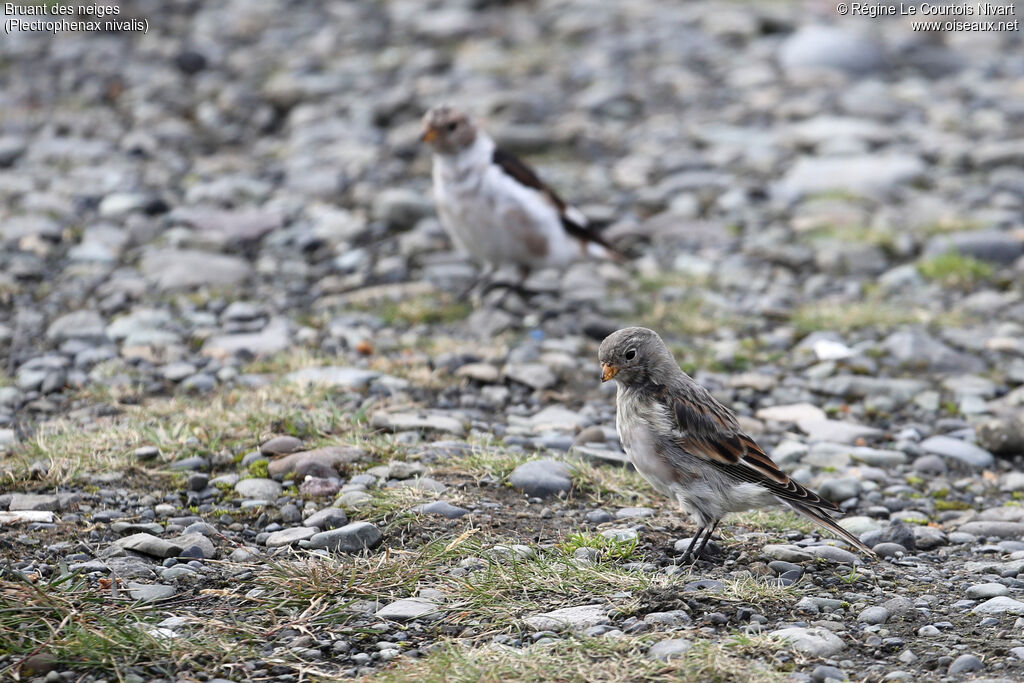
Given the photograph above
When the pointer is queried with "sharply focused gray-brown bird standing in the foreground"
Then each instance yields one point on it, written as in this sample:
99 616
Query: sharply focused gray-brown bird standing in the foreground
691 447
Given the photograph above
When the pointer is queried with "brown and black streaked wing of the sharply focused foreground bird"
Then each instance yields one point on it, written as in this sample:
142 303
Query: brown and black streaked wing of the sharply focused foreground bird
708 430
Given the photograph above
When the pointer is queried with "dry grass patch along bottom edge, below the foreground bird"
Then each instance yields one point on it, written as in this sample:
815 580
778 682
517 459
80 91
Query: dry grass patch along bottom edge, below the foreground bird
747 659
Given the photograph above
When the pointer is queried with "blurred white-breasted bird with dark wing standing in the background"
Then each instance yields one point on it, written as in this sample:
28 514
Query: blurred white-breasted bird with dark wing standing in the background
495 207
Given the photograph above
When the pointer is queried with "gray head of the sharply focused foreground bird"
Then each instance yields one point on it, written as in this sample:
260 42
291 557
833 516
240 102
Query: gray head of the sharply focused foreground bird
635 355
